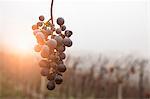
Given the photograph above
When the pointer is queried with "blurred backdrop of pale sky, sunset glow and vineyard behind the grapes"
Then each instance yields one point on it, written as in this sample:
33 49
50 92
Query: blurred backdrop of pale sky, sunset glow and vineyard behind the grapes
109 59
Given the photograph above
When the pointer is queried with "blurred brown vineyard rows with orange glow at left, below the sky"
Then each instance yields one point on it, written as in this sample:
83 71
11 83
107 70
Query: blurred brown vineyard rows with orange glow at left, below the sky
106 78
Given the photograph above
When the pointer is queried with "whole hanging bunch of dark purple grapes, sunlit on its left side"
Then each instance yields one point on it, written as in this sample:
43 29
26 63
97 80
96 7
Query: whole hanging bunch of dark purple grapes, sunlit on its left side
52 43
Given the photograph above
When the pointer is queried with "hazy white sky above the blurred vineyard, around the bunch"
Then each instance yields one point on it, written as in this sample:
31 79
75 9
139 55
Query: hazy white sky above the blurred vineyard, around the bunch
98 25
